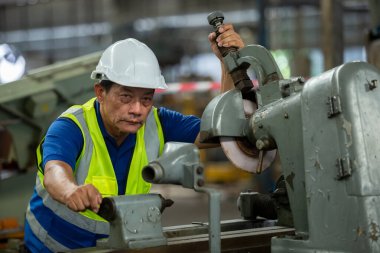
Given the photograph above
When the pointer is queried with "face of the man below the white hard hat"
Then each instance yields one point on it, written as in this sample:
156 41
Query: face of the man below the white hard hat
124 109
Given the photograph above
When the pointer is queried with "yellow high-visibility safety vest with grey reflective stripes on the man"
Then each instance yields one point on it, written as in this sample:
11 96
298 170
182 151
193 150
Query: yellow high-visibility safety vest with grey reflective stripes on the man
94 166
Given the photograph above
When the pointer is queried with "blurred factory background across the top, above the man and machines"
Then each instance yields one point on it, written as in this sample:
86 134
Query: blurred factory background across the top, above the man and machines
47 31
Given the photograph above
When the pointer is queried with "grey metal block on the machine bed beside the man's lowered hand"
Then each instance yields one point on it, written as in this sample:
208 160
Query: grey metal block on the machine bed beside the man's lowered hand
135 221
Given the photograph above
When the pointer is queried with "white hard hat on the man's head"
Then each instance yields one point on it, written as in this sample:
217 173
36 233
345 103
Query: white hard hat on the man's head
130 63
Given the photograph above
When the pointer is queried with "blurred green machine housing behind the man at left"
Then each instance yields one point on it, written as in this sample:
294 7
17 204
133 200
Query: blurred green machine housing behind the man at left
28 106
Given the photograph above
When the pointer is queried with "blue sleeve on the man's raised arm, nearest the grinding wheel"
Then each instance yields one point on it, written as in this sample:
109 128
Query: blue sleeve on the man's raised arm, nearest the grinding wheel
178 127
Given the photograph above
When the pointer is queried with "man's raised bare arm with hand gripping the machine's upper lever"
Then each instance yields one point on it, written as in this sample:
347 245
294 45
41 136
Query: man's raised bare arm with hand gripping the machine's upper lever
227 38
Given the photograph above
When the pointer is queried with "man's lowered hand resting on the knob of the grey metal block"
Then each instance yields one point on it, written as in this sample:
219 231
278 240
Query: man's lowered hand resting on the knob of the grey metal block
83 197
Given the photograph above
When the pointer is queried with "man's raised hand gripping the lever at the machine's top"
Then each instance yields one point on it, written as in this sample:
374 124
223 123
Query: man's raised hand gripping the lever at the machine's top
227 38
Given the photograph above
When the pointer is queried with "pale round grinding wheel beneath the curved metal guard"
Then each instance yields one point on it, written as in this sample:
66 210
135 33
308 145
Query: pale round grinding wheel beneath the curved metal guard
241 152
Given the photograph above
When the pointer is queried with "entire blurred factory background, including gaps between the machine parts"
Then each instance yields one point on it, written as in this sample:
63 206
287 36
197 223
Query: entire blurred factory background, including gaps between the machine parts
306 37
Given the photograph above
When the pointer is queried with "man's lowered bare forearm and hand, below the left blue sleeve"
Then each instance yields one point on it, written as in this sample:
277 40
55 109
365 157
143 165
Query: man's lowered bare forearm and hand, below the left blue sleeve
59 182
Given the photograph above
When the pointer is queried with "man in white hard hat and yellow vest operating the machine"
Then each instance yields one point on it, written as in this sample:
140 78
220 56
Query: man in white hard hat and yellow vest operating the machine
99 148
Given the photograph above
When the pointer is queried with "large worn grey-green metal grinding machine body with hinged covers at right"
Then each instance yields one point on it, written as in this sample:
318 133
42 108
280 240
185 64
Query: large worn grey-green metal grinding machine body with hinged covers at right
325 131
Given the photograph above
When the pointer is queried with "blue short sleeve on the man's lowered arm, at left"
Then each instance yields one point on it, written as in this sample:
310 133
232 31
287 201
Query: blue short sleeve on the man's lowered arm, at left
63 141
